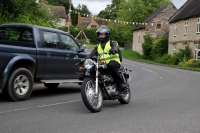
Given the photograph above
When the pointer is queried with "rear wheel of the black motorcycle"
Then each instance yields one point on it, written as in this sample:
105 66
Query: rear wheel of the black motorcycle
126 96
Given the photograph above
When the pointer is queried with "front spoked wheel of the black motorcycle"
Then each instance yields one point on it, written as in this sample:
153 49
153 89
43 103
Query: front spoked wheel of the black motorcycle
92 101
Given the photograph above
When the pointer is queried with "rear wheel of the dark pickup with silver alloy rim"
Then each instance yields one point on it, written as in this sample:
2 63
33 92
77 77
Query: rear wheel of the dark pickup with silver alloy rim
20 85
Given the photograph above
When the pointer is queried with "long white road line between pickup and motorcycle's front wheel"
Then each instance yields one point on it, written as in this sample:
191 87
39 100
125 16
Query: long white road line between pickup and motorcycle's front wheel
41 106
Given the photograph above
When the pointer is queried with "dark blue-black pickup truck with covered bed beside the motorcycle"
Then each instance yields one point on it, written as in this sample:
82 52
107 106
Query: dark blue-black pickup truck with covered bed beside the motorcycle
32 54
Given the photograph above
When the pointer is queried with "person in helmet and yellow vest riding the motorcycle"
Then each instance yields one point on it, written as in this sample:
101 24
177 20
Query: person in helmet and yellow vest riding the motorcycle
114 57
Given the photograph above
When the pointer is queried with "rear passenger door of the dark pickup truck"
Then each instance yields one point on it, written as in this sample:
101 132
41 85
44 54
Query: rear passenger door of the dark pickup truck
50 55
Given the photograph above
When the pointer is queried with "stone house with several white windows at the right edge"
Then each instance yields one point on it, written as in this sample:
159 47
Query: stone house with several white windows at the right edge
185 28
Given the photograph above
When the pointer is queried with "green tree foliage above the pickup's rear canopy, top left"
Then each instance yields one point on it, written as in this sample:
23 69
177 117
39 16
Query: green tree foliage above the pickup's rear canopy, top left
23 12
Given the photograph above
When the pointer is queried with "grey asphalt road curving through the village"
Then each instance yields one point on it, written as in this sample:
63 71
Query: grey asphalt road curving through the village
164 100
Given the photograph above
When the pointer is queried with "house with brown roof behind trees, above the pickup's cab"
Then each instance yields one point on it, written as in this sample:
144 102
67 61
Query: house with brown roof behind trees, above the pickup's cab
59 12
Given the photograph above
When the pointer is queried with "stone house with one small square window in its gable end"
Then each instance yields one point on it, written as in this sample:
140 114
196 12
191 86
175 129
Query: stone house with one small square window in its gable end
156 25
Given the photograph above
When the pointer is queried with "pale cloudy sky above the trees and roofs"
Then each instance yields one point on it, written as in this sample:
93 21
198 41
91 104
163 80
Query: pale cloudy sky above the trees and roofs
95 6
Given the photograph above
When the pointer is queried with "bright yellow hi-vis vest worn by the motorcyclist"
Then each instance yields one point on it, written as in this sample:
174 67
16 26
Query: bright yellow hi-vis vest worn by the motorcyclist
107 57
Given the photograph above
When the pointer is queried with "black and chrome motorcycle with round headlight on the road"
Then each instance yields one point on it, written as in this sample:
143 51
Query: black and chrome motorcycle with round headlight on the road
98 84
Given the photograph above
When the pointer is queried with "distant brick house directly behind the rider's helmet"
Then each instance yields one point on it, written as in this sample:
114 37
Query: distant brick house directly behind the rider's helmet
85 22
